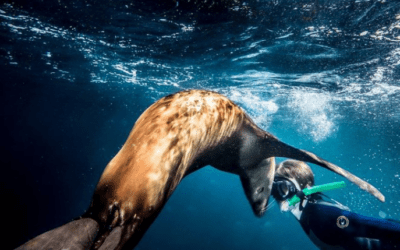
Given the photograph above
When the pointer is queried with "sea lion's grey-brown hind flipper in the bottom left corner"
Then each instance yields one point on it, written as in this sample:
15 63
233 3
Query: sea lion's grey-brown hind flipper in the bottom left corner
78 235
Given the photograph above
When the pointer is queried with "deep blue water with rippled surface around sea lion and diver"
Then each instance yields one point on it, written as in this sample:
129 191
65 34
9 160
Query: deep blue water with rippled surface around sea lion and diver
75 75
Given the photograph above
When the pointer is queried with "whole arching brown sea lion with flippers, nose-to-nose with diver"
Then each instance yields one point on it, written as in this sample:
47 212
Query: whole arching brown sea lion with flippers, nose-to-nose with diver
177 135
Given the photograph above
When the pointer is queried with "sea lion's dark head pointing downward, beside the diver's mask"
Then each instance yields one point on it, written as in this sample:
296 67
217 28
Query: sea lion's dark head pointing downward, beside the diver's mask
257 184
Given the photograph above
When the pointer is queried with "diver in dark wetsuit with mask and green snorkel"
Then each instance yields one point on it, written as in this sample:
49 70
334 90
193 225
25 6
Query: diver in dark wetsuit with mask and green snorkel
329 224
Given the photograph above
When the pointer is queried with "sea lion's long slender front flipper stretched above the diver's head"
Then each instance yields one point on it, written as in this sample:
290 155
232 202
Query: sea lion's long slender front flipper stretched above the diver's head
284 150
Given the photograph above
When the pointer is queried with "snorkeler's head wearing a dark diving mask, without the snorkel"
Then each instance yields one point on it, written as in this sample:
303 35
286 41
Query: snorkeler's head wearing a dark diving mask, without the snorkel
290 177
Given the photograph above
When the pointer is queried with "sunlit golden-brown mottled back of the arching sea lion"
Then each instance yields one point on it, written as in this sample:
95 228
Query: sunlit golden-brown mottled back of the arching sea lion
164 142
